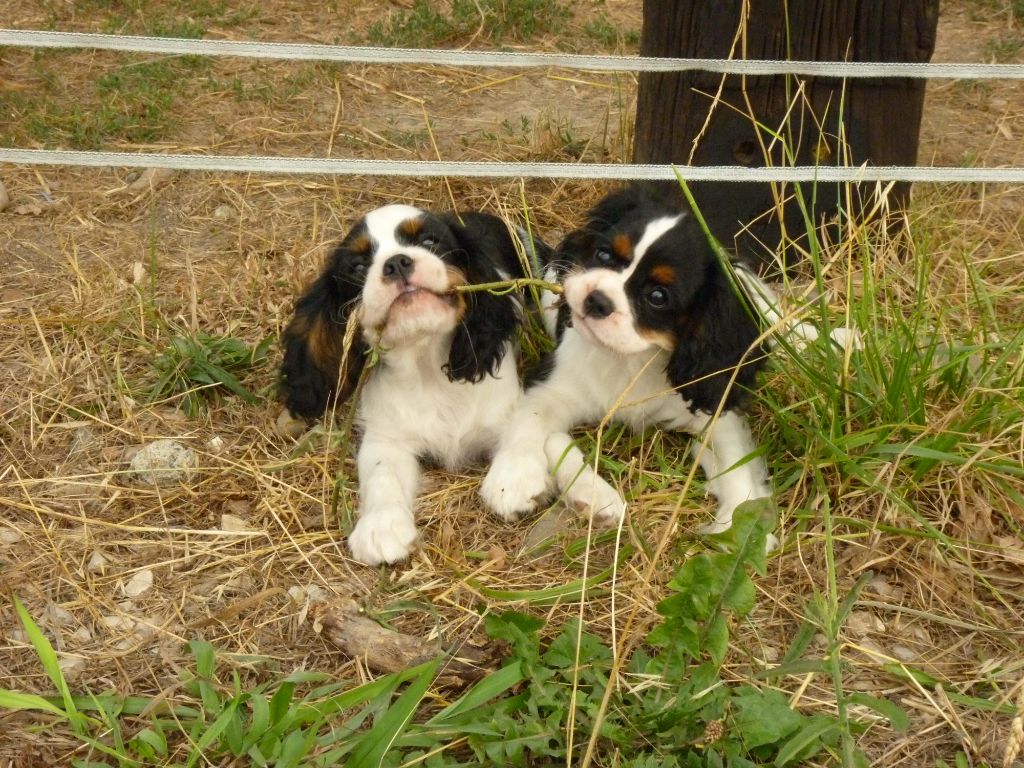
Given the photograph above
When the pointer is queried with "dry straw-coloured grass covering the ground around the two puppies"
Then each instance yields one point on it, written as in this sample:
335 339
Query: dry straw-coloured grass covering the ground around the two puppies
95 280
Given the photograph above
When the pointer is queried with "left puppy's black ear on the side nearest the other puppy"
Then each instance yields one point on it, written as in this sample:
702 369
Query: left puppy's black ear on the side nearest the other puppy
490 321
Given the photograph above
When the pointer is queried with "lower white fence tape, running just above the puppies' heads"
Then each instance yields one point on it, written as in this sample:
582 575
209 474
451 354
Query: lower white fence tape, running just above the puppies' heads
424 168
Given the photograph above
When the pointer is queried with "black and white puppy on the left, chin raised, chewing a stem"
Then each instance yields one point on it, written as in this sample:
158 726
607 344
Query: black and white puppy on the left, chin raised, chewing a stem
446 381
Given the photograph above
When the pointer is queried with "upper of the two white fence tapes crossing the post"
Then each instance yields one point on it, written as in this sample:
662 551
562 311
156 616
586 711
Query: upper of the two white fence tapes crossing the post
363 55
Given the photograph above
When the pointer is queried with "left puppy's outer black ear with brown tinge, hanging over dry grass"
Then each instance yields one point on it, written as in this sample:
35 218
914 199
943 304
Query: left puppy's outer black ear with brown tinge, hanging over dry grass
314 370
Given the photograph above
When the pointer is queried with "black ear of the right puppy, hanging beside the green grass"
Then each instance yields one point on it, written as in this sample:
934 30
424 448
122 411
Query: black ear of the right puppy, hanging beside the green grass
712 336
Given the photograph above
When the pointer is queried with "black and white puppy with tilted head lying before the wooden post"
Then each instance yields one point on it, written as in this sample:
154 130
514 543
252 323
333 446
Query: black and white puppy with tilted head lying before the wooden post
654 332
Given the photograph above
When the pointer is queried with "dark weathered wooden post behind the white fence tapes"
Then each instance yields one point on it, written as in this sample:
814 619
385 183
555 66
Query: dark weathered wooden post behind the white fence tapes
830 122
